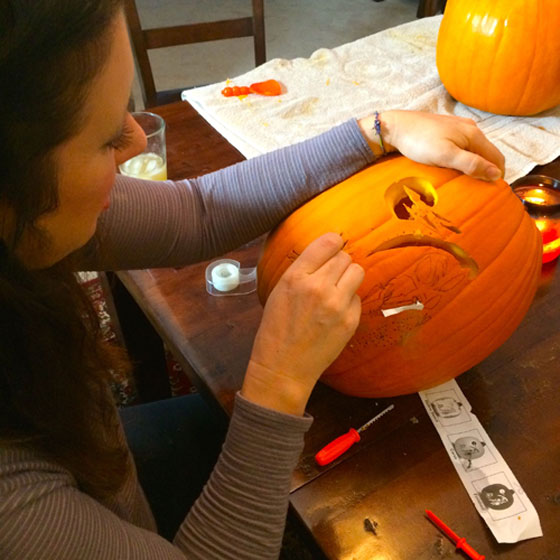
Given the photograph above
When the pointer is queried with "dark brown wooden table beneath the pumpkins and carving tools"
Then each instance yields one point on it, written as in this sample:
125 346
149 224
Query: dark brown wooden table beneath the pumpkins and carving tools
400 467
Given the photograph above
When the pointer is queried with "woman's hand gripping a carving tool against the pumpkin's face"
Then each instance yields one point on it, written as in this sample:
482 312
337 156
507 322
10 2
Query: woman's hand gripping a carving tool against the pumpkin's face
309 317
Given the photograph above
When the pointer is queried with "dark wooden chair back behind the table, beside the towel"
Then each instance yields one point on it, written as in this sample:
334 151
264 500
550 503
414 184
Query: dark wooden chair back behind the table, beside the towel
144 40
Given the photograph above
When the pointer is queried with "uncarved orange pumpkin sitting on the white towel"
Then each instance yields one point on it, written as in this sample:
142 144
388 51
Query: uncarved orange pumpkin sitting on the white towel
501 56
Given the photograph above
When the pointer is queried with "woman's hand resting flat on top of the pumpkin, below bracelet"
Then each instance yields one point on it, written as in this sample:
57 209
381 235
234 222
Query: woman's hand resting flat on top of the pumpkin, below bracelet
442 140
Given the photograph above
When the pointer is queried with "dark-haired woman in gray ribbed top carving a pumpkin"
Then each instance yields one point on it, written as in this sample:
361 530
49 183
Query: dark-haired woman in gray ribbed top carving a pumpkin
68 483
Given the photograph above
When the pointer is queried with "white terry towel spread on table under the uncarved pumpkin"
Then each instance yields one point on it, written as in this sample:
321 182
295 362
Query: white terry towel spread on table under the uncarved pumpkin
392 69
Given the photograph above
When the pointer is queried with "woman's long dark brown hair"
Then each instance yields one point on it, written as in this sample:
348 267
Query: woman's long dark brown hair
54 367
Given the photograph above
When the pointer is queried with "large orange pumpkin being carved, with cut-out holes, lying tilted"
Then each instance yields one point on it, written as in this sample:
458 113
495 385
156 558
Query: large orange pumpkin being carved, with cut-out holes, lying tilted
460 255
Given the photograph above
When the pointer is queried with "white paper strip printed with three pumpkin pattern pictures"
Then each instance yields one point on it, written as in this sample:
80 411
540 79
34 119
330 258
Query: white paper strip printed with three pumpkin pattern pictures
490 483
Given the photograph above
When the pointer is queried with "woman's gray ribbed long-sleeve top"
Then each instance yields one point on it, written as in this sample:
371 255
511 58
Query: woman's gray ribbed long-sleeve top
241 512
